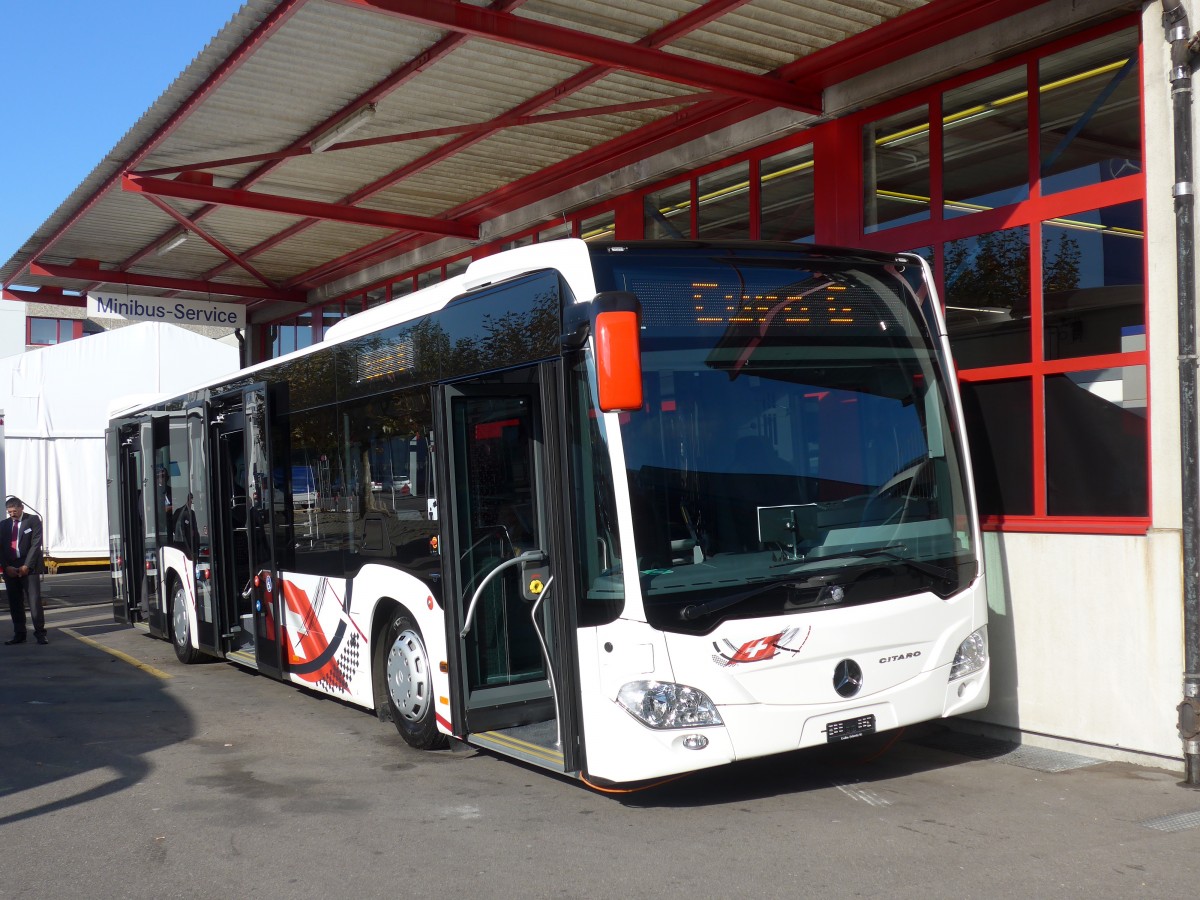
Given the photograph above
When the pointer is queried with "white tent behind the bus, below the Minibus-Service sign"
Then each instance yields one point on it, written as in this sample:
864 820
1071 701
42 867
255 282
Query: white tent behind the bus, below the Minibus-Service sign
56 404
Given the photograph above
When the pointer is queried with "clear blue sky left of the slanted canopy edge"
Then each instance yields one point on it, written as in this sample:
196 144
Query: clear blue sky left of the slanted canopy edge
75 76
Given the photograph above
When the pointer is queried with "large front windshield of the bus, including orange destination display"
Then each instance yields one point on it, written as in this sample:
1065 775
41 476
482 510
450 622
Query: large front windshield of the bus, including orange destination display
795 449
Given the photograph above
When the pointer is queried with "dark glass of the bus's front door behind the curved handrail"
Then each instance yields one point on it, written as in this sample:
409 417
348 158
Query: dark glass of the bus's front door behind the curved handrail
496 526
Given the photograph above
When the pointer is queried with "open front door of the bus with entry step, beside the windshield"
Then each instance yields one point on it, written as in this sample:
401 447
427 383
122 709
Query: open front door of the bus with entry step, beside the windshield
508 625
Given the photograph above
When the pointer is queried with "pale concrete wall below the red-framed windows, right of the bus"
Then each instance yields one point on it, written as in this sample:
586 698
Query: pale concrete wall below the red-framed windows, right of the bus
1087 641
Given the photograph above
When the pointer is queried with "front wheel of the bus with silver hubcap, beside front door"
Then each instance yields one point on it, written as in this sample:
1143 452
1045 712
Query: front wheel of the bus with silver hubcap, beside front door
409 685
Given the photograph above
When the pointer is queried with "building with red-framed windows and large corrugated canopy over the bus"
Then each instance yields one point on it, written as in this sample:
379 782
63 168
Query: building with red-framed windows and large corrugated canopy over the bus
326 157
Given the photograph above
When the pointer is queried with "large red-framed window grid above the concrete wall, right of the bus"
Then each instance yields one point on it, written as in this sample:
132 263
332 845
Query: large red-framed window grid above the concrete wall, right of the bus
1040 241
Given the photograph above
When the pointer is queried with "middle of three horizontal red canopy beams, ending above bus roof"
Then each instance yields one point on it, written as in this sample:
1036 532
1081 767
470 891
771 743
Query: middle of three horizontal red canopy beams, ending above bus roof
296 207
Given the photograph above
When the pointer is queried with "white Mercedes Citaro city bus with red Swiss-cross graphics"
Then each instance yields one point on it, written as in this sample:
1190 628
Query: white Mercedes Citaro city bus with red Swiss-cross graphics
619 511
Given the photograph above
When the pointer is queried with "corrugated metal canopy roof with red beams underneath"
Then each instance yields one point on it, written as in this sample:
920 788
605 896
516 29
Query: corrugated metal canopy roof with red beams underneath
283 70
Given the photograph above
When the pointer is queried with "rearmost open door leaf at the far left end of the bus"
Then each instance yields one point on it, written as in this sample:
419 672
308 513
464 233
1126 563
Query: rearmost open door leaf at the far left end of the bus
127 531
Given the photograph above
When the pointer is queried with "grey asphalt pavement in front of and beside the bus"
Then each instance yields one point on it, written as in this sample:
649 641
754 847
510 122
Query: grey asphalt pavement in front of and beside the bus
125 775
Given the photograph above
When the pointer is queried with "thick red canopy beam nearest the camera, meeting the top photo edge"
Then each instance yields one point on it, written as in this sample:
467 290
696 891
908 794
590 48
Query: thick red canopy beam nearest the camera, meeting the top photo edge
596 50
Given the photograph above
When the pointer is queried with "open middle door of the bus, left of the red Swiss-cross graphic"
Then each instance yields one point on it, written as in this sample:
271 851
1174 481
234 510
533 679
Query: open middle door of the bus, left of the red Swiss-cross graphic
243 509
